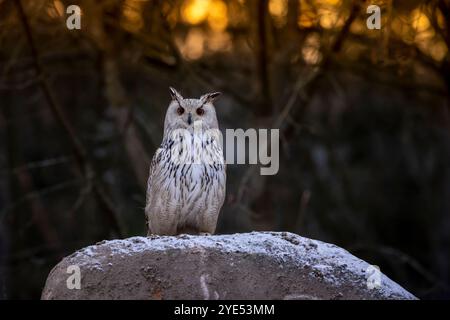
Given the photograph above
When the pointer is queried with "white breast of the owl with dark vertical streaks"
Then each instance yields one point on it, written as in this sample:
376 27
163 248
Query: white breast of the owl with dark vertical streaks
190 174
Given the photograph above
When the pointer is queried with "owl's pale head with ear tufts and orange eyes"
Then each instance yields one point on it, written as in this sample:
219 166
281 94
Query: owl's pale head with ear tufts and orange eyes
184 113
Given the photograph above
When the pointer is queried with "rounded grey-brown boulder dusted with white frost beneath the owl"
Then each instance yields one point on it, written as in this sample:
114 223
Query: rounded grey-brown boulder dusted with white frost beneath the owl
257 265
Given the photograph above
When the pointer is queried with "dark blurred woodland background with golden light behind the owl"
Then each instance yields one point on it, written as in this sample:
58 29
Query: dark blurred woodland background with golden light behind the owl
363 117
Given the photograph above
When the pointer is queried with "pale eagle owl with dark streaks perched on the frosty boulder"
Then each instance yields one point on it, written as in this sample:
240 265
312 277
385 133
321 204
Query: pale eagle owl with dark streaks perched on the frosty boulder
186 184
